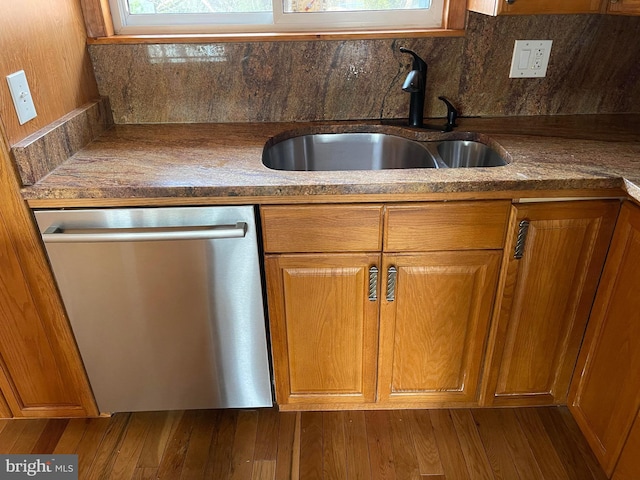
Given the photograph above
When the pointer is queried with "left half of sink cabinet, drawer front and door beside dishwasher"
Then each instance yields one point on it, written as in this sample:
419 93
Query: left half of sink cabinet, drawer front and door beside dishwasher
324 325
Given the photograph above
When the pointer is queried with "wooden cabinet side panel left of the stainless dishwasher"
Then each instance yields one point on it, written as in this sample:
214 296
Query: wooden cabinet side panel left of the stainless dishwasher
41 373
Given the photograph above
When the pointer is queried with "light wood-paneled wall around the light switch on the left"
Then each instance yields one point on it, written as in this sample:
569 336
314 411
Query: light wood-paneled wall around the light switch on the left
47 40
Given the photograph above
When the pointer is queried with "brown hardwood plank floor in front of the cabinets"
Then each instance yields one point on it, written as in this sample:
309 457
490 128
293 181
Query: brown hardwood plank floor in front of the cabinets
508 444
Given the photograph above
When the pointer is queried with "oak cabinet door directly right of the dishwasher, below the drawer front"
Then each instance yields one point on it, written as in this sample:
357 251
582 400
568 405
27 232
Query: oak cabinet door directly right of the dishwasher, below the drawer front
324 327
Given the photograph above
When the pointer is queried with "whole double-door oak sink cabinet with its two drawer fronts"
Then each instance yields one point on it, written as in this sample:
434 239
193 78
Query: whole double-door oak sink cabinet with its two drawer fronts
410 314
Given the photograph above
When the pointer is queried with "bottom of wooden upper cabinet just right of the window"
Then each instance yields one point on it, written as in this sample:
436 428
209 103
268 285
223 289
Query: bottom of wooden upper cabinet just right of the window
531 7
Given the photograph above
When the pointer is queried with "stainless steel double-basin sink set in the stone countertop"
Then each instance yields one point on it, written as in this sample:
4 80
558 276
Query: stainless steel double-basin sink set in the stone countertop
375 151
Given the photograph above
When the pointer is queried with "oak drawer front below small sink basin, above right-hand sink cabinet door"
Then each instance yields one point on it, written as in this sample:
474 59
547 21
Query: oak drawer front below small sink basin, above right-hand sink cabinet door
446 226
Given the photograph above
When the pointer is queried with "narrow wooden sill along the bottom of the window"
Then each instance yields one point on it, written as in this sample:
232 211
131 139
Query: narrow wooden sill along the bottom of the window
273 37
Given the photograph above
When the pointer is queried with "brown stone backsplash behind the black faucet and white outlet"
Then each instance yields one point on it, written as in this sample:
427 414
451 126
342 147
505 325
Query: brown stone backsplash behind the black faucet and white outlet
594 68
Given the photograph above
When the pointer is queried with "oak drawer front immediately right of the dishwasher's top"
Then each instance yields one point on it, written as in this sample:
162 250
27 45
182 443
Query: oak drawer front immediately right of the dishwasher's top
322 228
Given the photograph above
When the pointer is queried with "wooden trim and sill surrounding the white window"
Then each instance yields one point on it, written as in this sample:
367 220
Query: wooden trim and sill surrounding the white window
100 29
